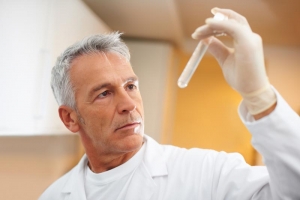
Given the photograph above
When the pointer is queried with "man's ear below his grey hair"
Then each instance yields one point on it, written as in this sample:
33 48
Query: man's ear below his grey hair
69 117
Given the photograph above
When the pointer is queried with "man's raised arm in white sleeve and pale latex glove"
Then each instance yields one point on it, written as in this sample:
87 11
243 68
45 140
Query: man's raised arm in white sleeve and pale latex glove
275 127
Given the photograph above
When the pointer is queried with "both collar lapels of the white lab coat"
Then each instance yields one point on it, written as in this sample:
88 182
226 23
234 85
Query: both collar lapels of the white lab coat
154 164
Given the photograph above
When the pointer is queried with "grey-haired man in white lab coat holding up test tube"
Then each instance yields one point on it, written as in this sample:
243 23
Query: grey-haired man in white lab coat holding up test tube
98 95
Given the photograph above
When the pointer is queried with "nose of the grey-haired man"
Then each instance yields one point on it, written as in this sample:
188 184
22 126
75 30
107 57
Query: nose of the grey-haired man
126 103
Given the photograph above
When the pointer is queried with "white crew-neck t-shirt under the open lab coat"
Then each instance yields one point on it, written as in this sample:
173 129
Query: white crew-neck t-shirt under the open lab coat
112 183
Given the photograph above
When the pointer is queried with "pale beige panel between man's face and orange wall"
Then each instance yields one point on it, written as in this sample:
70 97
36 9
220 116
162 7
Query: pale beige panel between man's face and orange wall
150 61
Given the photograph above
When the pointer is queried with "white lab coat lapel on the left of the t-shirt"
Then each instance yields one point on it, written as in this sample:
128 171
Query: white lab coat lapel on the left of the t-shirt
74 188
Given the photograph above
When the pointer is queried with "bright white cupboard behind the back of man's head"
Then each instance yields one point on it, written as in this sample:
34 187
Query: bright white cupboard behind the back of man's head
33 34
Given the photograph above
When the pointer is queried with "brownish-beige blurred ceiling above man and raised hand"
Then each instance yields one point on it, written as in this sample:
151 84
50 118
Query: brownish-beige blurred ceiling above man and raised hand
277 21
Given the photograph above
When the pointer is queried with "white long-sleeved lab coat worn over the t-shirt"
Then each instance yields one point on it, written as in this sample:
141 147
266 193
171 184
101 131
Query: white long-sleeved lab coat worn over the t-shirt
169 172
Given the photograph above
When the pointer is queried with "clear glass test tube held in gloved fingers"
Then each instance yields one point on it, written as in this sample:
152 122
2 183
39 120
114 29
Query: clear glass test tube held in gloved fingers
195 59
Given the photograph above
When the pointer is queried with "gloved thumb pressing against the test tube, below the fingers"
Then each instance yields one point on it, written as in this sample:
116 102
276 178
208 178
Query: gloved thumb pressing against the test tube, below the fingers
219 50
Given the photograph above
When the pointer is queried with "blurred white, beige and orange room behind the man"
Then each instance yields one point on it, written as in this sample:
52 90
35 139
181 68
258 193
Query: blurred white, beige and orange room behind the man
35 147
